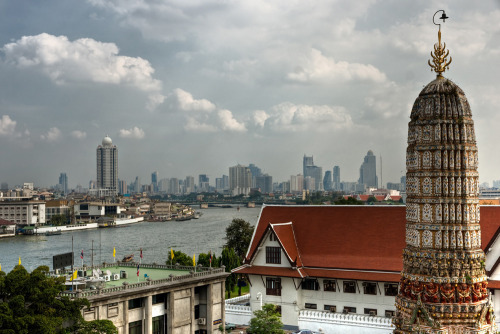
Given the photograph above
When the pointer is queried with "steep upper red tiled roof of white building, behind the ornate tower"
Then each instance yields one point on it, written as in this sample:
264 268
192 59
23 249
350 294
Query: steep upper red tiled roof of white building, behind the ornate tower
350 237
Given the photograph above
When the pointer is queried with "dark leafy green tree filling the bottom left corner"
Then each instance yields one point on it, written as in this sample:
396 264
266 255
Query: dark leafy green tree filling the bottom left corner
31 303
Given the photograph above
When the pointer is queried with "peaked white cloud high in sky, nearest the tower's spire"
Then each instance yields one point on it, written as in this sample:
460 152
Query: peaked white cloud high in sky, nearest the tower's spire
317 67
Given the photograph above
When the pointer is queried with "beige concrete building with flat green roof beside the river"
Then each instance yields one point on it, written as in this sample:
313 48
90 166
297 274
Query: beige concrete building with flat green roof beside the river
153 298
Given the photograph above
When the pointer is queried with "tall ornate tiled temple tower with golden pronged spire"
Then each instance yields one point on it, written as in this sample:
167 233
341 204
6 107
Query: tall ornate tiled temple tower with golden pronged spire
443 286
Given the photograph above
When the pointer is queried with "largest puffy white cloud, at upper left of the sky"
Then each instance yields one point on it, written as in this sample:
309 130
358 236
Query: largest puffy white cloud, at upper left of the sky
81 61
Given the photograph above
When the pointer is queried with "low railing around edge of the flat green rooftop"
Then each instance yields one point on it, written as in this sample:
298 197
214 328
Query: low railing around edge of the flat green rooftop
173 279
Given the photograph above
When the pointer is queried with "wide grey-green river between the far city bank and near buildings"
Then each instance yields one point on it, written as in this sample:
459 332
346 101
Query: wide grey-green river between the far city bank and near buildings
155 238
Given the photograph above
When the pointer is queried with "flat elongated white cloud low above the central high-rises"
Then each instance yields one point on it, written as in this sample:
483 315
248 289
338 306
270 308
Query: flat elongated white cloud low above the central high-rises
292 117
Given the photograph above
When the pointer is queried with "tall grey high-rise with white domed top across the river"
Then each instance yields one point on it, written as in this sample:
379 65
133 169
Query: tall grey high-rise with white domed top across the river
107 165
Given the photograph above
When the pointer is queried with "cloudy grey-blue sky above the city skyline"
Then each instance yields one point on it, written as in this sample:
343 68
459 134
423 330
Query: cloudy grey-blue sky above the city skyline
194 87
